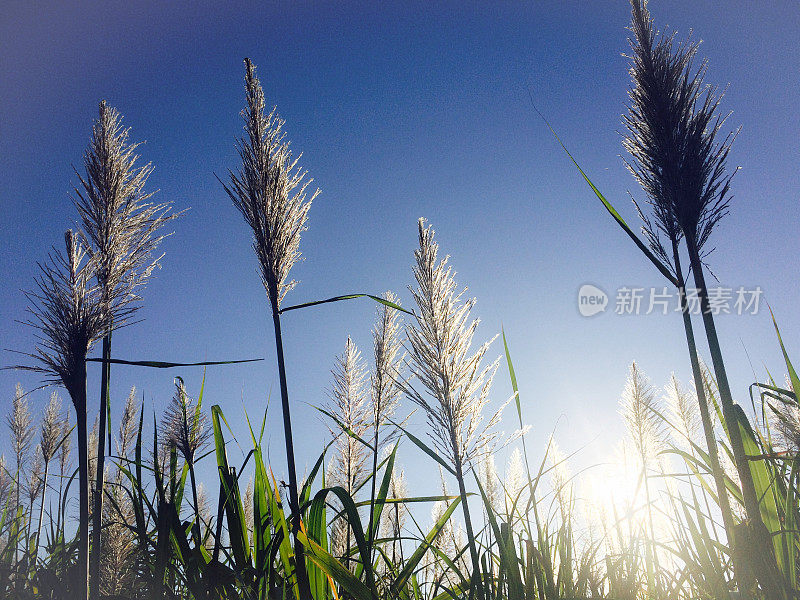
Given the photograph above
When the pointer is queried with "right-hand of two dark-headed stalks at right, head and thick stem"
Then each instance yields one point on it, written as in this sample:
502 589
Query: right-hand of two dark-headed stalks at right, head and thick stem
682 159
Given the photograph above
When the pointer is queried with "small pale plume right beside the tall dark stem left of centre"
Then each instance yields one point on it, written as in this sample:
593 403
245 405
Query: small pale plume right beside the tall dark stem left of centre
349 403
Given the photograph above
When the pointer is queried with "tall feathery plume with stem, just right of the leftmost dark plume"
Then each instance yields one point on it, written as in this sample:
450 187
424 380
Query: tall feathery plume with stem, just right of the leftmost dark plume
121 233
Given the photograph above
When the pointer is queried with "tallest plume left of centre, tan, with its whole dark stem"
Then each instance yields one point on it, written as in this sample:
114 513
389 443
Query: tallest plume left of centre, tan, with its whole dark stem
270 191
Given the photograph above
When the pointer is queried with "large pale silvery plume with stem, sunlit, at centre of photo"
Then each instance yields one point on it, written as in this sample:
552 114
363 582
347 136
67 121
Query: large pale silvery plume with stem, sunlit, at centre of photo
456 386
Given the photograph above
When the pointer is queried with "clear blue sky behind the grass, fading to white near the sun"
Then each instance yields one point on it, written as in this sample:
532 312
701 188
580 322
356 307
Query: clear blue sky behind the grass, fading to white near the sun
401 111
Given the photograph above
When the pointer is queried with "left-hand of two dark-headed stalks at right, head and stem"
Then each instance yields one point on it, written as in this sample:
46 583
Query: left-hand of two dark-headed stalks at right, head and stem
660 118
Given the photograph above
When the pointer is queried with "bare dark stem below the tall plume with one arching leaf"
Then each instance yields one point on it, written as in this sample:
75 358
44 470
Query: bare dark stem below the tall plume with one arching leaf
300 563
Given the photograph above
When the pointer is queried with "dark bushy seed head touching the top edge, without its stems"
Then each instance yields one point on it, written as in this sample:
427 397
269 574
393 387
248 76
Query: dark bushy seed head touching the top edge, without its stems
672 126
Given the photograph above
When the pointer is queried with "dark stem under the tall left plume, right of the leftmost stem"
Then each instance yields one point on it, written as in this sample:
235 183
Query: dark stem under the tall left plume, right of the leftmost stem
97 515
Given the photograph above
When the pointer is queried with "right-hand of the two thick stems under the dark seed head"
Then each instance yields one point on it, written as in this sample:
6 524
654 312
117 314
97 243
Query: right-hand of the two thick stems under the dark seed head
763 555
